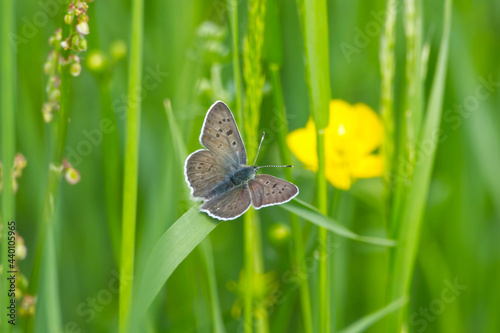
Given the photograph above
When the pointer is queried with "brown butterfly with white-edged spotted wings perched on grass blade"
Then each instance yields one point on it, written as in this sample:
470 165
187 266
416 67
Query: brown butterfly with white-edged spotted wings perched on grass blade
219 175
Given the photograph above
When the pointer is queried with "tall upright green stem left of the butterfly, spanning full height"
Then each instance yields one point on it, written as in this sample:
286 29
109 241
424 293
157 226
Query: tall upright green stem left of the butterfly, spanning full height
129 214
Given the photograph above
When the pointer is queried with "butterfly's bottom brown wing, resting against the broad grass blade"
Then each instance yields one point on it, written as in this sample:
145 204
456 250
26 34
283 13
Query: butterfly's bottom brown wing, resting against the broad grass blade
229 205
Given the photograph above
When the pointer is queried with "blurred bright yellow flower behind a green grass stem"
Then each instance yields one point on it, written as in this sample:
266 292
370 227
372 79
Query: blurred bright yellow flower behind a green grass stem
353 134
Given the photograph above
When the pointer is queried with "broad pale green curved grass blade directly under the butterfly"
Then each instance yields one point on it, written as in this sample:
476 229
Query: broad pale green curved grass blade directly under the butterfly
170 250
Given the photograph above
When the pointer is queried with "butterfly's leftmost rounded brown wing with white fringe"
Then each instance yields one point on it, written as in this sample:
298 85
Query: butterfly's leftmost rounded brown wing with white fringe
203 172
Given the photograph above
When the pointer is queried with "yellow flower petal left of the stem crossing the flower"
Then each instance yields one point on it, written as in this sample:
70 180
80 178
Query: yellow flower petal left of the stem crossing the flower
302 143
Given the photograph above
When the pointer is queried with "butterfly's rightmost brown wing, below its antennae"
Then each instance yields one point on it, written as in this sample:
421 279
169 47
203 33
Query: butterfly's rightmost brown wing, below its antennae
267 190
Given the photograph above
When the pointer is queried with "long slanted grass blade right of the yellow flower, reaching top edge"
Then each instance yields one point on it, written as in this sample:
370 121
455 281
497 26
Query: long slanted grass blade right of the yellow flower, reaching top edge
405 254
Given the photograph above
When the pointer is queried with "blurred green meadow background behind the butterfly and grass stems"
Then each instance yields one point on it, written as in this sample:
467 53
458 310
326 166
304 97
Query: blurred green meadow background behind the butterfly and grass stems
189 44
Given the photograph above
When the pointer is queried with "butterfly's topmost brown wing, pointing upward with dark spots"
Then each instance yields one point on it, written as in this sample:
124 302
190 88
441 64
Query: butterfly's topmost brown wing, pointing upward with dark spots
221 136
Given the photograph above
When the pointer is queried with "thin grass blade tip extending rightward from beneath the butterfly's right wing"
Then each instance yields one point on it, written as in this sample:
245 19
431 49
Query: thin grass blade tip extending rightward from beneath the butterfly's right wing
313 215
